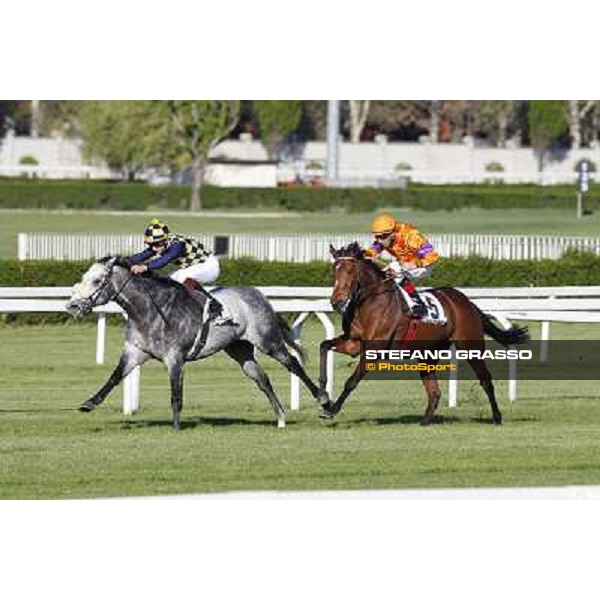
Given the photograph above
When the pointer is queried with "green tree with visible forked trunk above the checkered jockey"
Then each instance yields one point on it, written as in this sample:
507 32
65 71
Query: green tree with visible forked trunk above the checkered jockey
197 126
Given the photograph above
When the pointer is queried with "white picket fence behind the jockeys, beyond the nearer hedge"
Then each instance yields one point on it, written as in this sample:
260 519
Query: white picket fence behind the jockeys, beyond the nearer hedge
303 247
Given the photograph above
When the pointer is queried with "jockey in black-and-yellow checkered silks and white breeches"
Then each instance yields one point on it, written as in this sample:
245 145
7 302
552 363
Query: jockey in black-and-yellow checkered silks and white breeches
197 264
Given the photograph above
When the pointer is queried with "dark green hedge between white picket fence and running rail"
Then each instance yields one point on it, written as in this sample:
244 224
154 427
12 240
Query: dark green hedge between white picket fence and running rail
573 269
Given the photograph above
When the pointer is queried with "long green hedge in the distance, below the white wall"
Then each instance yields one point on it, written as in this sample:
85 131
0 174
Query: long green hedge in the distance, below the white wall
17 193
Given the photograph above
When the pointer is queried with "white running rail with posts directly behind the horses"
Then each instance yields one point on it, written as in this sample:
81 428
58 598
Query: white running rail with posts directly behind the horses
576 304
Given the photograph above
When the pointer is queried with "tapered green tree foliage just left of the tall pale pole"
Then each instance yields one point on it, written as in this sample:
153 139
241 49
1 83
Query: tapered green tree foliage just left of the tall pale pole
277 119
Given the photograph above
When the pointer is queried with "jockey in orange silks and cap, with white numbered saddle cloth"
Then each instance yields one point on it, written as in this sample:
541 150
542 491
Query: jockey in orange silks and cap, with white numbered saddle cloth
405 254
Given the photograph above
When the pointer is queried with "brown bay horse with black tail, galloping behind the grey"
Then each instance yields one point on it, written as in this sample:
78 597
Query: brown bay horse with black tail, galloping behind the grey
373 308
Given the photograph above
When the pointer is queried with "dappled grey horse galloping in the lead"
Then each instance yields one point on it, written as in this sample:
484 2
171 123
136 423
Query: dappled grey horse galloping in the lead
165 322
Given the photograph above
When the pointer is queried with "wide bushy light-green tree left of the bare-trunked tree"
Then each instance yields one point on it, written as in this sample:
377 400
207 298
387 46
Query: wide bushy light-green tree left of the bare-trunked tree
128 135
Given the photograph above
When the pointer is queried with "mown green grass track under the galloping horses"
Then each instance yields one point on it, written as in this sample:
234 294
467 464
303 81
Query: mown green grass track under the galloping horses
229 440
